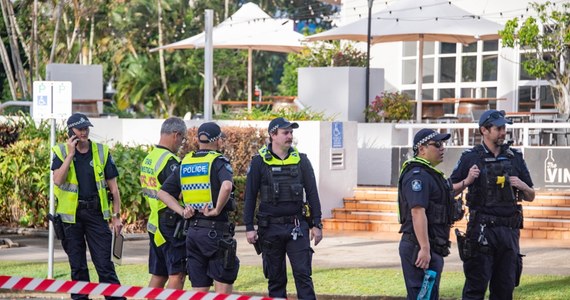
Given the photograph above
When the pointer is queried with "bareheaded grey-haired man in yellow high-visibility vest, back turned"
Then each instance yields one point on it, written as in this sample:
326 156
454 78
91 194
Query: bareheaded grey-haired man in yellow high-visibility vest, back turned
167 254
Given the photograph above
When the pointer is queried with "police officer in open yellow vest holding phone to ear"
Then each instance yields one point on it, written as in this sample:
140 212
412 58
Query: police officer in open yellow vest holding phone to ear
82 172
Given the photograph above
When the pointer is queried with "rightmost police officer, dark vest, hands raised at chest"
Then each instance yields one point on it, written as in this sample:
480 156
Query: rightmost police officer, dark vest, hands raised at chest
497 178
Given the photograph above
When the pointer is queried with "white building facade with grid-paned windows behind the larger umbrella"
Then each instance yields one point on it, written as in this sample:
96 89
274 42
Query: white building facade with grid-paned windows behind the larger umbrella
483 69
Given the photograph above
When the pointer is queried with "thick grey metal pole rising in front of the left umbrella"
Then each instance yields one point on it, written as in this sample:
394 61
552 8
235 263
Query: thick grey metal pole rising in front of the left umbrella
208 65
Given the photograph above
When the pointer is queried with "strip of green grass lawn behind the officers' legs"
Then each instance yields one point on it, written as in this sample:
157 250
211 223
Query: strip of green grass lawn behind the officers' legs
357 282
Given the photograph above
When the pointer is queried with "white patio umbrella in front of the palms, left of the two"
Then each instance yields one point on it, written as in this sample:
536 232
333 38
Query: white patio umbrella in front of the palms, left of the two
248 28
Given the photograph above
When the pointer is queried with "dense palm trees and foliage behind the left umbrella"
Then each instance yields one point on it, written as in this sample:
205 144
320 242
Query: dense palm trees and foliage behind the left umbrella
118 35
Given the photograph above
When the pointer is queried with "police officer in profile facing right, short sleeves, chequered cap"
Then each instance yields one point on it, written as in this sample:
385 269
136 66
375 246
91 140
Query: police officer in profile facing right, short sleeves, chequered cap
425 201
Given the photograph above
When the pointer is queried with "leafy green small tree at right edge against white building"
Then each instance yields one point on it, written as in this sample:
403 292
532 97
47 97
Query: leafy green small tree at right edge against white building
548 38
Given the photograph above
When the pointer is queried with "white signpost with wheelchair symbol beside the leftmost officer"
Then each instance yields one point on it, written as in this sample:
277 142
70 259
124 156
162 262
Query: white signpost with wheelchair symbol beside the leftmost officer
51 100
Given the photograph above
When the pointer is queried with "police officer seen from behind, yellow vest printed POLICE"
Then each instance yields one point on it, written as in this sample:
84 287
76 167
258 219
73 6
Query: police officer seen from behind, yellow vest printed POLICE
205 180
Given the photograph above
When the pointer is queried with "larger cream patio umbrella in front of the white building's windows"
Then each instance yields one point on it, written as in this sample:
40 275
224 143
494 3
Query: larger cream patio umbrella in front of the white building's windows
414 20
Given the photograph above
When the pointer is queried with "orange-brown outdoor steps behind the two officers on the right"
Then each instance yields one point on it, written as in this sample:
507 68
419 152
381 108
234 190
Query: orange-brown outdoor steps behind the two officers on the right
375 209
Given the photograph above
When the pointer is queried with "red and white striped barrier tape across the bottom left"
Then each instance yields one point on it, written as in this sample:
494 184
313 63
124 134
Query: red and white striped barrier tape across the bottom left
109 289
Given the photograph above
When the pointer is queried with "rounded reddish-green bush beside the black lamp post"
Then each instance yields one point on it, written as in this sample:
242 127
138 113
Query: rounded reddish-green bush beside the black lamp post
389 106
